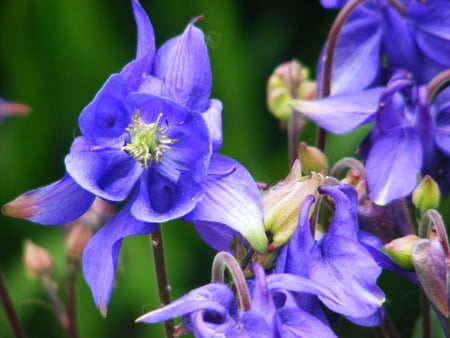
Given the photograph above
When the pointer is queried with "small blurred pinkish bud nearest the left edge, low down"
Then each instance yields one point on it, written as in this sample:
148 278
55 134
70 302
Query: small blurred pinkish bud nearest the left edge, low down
37 260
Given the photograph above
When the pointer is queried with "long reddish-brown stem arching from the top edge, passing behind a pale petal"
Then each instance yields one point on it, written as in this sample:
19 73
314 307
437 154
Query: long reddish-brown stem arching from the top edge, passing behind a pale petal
328 56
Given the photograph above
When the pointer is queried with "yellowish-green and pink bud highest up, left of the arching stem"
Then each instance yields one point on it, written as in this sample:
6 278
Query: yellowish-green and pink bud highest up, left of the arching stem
288 81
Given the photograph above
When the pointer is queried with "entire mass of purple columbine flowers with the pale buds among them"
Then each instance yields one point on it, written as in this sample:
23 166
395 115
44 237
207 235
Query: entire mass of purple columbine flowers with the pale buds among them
310 247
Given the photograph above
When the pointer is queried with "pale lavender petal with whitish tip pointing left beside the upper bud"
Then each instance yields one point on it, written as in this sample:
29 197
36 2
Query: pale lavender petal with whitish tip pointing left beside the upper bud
341 113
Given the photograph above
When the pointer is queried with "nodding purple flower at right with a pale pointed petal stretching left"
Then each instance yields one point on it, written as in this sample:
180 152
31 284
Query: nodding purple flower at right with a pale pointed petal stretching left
409 135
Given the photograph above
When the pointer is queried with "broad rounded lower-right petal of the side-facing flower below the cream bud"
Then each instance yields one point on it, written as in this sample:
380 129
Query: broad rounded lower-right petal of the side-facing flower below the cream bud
351 270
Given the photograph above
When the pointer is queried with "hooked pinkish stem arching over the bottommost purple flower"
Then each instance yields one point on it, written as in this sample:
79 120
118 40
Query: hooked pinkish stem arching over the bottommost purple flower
225 260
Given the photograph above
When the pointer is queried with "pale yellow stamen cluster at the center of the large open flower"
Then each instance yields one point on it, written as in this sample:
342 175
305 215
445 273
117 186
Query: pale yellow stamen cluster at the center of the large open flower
148 142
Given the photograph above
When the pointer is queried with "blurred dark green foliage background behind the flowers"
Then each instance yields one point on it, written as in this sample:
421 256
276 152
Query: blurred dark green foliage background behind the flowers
55 55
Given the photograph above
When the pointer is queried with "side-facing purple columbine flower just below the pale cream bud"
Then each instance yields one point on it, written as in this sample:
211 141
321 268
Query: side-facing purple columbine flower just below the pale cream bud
338 259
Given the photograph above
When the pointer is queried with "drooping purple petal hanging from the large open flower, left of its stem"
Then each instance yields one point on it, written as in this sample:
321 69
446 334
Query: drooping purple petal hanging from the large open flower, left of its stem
101 253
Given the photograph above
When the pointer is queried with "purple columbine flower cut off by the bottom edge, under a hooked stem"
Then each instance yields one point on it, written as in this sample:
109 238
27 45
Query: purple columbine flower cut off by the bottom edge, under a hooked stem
212 311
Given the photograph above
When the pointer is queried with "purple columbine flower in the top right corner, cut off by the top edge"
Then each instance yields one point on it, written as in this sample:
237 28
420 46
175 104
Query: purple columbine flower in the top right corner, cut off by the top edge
412 35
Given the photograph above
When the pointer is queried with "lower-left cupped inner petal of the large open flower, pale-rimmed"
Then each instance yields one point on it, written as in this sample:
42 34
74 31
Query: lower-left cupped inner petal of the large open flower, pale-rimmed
109 173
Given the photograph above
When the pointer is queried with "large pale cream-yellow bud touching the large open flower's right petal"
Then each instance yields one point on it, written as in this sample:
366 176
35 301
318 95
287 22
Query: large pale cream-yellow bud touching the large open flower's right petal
282 203
